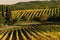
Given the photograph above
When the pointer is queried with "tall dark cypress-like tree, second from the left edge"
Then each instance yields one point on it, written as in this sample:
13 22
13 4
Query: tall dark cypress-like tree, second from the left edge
8 18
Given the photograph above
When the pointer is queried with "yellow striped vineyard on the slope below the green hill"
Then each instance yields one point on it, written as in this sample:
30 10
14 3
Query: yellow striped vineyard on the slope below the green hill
30 14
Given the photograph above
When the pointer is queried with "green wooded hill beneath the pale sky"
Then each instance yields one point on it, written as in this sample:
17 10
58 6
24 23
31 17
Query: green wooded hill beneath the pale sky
33 5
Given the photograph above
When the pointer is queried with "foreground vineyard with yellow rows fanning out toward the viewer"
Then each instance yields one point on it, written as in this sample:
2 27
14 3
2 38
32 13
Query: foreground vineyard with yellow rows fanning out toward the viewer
35 32
